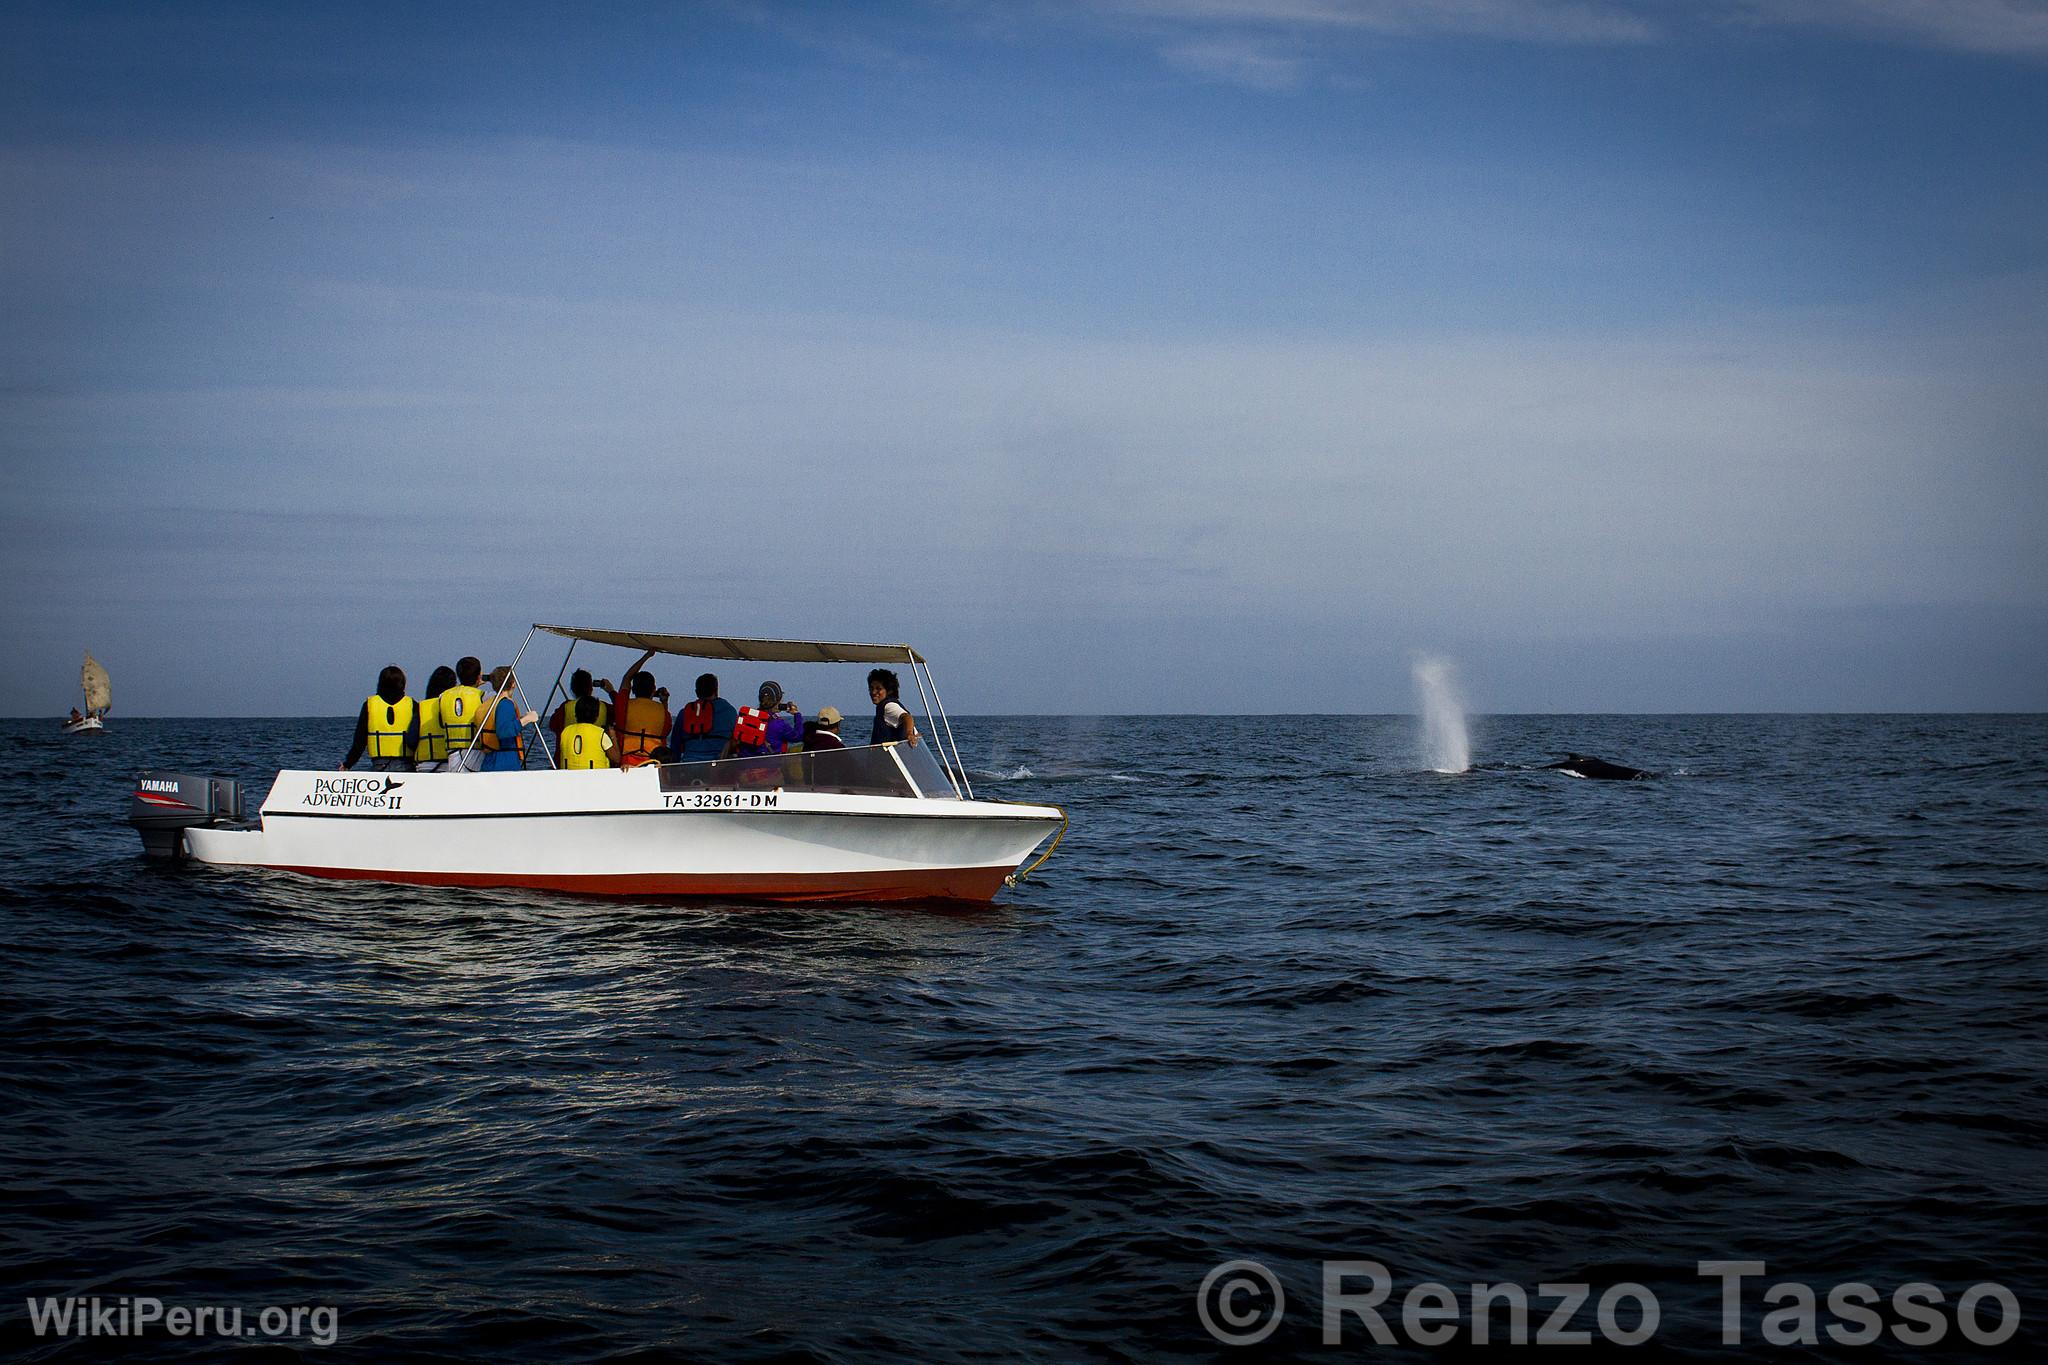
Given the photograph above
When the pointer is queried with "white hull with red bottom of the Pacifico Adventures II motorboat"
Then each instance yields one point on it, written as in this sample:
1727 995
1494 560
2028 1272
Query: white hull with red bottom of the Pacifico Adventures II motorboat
620 834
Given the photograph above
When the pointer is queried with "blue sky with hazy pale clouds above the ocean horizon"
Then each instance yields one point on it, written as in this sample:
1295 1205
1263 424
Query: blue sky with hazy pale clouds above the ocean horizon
1150 355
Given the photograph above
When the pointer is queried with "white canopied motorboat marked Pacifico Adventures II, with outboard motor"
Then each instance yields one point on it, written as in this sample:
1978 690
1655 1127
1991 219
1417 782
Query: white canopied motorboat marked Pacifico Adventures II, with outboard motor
867 824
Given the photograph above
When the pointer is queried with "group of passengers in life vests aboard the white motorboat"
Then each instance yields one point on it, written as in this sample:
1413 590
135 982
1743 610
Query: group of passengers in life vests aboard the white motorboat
458 728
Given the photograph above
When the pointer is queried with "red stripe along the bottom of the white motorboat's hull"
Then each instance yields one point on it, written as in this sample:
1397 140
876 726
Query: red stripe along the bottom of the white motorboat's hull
910 885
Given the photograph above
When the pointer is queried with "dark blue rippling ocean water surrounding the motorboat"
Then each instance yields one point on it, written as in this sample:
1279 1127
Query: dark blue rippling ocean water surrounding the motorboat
1281 996
